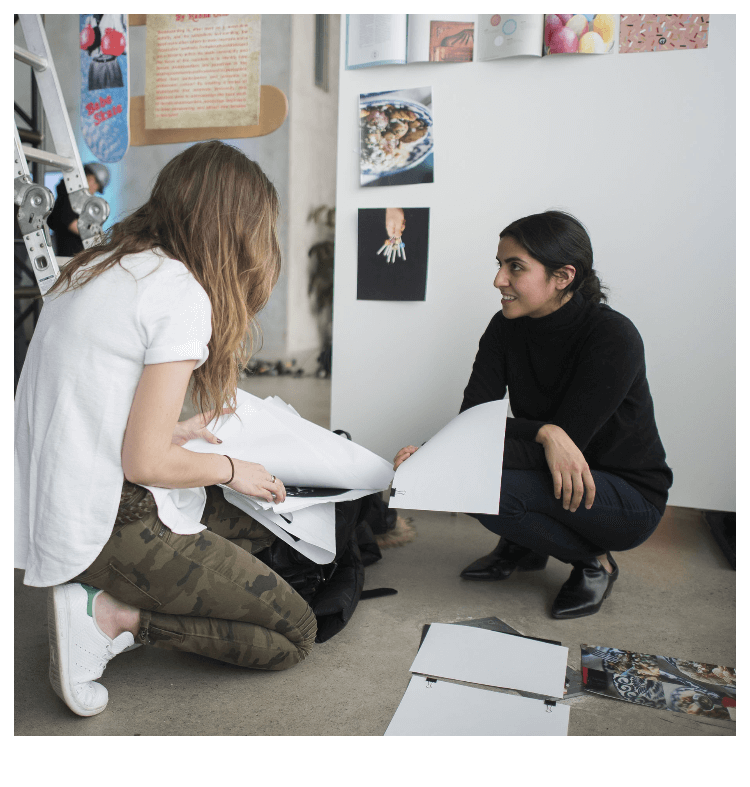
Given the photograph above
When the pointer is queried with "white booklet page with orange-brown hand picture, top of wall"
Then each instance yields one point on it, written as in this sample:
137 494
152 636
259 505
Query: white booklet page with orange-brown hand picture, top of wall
443 38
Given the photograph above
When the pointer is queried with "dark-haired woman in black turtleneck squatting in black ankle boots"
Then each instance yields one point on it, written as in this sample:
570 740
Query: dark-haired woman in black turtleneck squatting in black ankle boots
584 469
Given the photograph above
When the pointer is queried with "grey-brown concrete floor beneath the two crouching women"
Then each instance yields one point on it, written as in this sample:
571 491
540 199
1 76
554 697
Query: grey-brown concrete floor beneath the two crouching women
675 597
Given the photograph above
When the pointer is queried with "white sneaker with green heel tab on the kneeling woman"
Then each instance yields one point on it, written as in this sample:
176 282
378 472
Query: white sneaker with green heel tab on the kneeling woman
78 649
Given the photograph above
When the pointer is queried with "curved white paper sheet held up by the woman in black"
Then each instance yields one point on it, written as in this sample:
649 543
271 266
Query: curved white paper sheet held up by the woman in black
460 468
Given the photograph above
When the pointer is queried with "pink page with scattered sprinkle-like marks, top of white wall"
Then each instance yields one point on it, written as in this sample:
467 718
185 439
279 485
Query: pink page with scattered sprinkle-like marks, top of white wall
662 32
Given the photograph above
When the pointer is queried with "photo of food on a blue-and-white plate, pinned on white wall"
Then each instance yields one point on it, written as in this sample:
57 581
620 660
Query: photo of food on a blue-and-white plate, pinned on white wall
396 137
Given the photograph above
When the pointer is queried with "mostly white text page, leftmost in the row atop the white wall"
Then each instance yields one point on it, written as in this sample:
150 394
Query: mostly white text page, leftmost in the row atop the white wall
375 40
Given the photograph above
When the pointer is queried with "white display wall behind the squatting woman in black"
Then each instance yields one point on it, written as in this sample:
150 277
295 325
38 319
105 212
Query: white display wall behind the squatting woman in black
641 148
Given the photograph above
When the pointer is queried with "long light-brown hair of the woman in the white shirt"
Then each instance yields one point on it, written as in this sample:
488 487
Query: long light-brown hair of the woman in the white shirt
214 210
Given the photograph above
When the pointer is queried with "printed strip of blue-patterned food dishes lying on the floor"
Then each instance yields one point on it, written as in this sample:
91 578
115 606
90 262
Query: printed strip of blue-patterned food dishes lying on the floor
660 681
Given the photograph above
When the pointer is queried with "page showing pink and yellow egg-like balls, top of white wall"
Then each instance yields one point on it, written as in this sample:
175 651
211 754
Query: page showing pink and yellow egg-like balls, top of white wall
589 34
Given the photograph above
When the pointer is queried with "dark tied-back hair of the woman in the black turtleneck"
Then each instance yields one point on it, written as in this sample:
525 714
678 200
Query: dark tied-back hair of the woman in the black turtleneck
556 239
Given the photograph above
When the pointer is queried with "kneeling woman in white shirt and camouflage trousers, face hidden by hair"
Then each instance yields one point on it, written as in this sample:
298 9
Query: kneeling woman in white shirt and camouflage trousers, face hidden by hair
169 296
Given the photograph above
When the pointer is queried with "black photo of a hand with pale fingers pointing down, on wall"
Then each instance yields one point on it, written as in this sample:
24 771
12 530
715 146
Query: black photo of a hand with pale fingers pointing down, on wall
392 250
